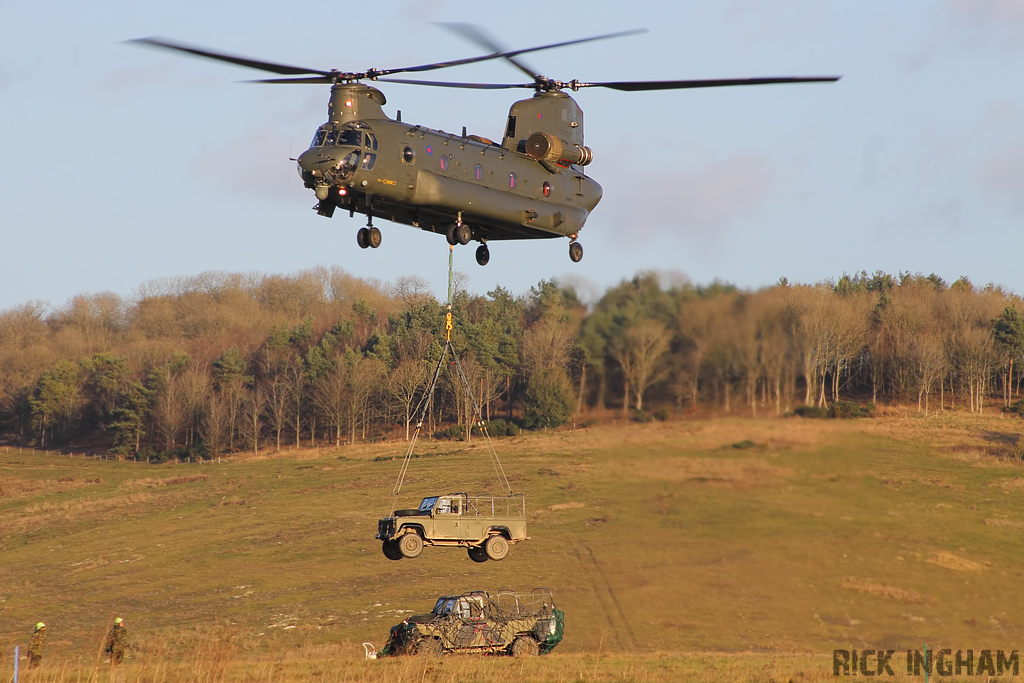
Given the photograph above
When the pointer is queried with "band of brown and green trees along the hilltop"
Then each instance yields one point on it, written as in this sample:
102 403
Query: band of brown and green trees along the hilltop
227 362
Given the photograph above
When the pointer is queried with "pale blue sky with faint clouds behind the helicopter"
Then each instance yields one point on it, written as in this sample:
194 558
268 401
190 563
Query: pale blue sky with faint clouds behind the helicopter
121 165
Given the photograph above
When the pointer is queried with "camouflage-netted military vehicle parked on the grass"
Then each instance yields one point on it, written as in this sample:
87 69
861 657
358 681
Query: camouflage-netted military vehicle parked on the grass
509 623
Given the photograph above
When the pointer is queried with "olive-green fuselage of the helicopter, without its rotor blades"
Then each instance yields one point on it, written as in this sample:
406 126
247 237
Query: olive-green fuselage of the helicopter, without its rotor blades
365 162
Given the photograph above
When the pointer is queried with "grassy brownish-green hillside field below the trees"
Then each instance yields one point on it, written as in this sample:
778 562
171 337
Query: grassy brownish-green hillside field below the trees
712 550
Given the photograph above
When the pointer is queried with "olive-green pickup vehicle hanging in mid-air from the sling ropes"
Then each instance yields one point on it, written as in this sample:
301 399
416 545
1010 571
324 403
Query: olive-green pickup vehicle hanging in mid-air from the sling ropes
486 526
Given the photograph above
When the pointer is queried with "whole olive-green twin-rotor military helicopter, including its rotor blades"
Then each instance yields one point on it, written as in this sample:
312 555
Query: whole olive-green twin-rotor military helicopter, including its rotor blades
533 185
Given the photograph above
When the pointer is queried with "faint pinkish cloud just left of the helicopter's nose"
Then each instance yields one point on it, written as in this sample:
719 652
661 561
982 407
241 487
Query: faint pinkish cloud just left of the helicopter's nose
257 165
